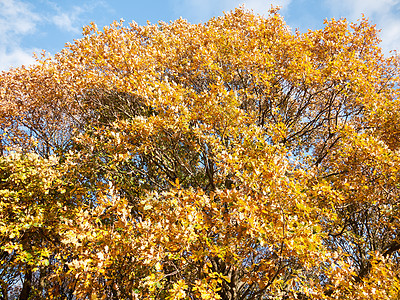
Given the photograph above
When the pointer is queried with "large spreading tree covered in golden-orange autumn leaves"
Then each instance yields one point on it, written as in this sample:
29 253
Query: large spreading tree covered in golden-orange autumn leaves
227 160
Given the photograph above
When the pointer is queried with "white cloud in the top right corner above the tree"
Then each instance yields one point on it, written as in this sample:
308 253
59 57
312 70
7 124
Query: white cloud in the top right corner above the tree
384 13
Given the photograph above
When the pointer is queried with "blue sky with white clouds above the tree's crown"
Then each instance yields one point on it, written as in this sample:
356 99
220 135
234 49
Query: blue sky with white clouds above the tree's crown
28 26
